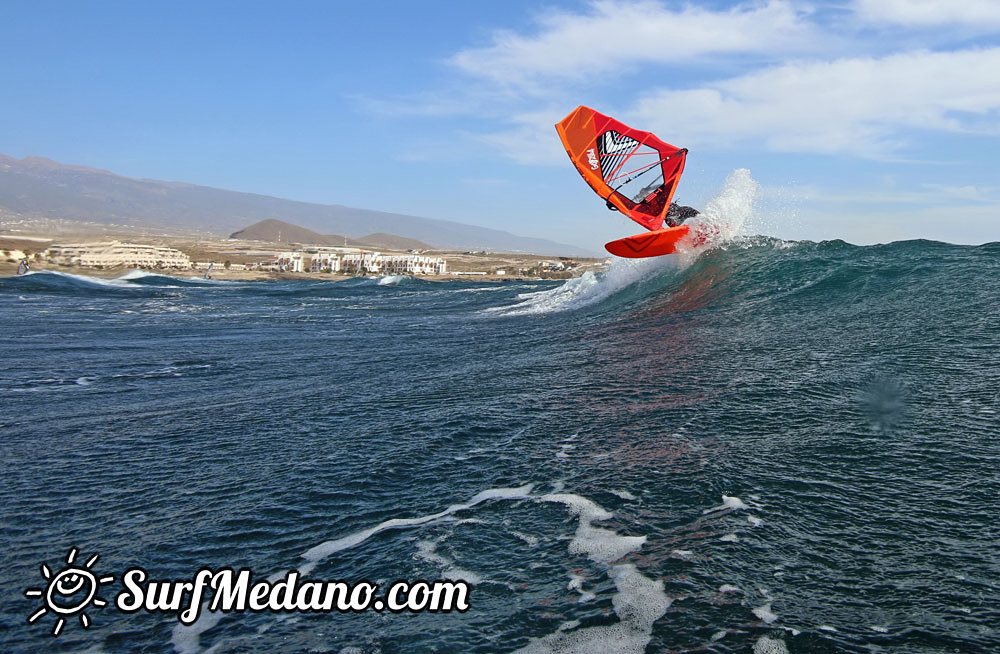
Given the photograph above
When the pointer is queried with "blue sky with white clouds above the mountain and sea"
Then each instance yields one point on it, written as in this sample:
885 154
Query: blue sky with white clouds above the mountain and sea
865 120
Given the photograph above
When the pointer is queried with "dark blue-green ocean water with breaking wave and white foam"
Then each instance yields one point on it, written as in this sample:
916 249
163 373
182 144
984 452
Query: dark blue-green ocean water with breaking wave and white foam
761 446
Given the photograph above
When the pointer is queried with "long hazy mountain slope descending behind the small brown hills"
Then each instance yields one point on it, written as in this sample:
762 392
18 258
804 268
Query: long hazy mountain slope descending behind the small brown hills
39 189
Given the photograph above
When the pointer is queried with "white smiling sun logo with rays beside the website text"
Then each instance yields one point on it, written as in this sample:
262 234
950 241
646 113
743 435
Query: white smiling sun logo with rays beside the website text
69 592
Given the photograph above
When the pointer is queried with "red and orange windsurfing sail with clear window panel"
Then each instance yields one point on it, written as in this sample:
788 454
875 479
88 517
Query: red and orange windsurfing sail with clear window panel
634 171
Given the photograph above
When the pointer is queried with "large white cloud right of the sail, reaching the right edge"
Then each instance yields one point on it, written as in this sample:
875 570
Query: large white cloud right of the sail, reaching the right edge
858 106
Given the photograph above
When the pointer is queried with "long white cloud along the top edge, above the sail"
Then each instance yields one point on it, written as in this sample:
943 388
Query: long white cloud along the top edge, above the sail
616 34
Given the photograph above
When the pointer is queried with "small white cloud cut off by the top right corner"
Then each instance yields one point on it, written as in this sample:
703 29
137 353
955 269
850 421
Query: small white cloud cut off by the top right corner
930 13
